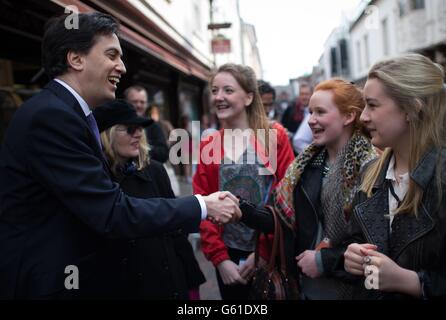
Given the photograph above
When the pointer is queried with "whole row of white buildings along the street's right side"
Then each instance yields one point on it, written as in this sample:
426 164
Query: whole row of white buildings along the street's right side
381 29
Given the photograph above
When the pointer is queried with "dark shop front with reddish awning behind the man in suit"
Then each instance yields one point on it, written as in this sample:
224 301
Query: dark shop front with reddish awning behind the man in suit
174 78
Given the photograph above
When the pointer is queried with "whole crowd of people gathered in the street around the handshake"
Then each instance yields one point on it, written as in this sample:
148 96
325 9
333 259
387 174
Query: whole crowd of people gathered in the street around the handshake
358 181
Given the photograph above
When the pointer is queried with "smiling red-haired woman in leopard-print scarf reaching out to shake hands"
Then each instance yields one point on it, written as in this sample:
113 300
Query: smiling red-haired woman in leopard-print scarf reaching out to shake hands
315 196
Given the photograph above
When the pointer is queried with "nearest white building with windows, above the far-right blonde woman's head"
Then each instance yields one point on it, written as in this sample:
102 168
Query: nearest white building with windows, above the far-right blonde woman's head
390 27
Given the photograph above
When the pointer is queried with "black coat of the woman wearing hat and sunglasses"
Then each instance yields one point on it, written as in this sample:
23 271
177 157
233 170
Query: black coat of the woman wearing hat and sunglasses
159 267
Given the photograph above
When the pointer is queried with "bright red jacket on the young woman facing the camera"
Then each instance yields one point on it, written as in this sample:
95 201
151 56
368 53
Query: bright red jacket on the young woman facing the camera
206 181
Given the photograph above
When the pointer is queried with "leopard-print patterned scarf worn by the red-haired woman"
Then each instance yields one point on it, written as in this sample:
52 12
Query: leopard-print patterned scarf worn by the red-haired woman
356 153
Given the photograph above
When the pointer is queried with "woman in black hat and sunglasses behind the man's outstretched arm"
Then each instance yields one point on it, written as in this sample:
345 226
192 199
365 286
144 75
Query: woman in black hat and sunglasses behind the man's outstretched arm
161 267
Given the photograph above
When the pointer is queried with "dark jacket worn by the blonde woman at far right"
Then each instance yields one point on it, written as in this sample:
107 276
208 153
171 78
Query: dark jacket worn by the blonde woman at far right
415 243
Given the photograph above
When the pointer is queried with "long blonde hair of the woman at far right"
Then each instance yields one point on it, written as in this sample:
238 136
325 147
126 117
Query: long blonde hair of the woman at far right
416 85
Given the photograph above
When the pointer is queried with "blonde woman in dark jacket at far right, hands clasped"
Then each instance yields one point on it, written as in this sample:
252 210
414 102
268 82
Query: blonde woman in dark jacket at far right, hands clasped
400 213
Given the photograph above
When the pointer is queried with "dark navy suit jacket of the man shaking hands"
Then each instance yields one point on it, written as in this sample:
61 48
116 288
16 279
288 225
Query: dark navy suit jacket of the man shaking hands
58 204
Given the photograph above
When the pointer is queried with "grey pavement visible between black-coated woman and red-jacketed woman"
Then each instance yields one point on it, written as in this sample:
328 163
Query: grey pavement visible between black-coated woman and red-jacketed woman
209 289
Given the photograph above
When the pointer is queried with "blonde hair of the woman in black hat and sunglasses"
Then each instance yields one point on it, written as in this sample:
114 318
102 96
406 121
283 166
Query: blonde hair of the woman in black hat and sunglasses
107 139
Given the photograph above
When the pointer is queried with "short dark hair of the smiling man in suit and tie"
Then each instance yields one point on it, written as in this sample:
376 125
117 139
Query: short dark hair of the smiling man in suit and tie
58 40
